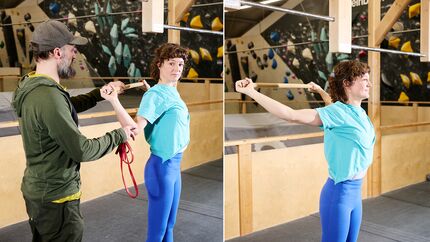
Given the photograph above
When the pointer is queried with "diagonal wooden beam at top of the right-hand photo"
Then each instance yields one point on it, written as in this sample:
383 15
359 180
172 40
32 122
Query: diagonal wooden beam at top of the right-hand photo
389 19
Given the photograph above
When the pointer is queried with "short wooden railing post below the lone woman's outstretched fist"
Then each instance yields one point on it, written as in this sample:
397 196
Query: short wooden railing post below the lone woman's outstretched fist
245 189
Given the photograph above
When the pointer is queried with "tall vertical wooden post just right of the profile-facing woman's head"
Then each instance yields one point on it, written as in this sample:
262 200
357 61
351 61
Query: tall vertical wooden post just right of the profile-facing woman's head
374 106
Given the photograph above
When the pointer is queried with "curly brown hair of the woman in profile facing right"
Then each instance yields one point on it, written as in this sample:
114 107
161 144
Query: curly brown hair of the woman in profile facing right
344 75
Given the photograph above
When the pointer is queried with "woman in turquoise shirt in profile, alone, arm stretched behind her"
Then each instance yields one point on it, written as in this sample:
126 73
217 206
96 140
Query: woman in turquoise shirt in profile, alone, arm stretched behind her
349 138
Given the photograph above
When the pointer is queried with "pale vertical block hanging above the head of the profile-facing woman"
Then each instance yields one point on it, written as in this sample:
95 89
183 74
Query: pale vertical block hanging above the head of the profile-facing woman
340 30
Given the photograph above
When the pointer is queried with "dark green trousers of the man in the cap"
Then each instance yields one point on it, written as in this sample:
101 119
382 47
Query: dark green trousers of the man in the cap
55 221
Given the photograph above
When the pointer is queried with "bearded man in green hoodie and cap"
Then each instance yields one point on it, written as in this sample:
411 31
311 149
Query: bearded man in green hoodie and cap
53 144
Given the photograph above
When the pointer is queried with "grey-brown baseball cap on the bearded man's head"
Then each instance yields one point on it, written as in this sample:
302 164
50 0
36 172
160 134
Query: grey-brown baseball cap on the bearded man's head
54 34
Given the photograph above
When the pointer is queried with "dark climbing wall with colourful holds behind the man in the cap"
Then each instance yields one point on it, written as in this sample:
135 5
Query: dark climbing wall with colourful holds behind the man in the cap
117 46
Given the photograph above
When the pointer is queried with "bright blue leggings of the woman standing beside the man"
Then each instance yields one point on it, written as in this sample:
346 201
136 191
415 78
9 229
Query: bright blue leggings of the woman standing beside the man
163 183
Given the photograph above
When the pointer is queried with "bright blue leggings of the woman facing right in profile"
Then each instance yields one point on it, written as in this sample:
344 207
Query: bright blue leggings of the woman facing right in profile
341 210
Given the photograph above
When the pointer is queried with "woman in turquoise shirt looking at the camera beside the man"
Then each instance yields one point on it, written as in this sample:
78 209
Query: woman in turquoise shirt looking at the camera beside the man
165 120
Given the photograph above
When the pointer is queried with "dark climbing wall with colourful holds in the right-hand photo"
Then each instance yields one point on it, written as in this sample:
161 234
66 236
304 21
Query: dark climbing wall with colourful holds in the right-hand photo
304 49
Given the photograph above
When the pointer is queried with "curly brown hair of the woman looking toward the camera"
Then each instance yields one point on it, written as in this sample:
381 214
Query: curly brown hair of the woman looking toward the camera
165 52
